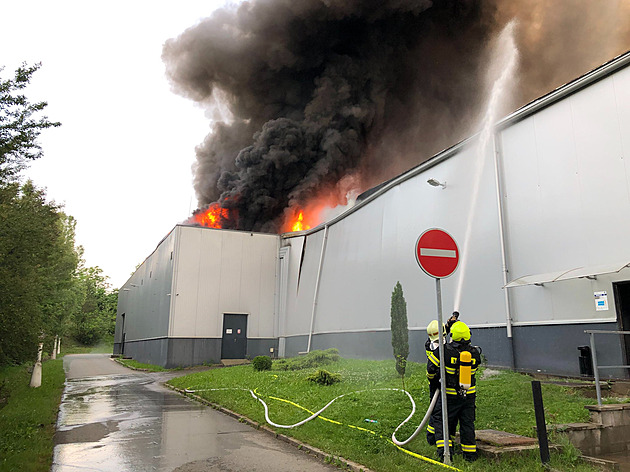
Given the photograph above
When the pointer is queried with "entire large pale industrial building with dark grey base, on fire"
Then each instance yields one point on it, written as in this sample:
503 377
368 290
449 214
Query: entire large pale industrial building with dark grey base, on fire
541 214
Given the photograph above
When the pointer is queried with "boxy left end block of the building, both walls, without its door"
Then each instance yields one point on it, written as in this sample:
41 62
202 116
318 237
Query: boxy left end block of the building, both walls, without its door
175 302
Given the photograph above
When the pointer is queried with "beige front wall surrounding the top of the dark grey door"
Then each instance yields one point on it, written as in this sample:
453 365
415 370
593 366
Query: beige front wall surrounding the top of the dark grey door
224 272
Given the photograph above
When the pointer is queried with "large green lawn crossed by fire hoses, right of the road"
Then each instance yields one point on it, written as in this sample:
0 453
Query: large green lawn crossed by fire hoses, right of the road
504 402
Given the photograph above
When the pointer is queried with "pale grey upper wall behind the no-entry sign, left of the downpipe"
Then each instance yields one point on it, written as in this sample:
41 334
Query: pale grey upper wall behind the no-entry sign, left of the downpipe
371 249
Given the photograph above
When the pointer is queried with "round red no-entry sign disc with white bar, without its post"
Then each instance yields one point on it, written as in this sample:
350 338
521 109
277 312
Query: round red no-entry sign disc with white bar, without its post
437 253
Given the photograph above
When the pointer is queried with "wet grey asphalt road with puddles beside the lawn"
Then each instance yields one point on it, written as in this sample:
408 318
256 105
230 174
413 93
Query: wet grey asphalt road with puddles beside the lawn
115 419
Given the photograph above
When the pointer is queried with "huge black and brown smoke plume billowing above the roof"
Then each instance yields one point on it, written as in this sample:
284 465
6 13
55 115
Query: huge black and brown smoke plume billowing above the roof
303 93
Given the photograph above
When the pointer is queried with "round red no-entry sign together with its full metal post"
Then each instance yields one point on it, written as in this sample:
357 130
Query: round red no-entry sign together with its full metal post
437 255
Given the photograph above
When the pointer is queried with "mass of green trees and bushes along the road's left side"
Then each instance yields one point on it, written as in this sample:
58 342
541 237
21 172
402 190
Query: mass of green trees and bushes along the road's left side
46 290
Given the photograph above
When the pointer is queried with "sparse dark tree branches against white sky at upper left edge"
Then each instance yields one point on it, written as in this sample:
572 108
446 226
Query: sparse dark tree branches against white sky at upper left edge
19 127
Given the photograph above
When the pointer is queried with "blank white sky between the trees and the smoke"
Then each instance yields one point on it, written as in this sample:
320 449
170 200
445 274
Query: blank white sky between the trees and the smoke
121 161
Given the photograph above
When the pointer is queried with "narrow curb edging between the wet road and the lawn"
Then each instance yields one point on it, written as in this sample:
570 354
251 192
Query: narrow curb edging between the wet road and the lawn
306 448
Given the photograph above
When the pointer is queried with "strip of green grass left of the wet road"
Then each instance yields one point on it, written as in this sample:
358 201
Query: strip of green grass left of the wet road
28 417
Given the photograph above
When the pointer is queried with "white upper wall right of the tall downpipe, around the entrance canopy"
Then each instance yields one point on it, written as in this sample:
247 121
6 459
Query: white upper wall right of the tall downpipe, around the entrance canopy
567 198
